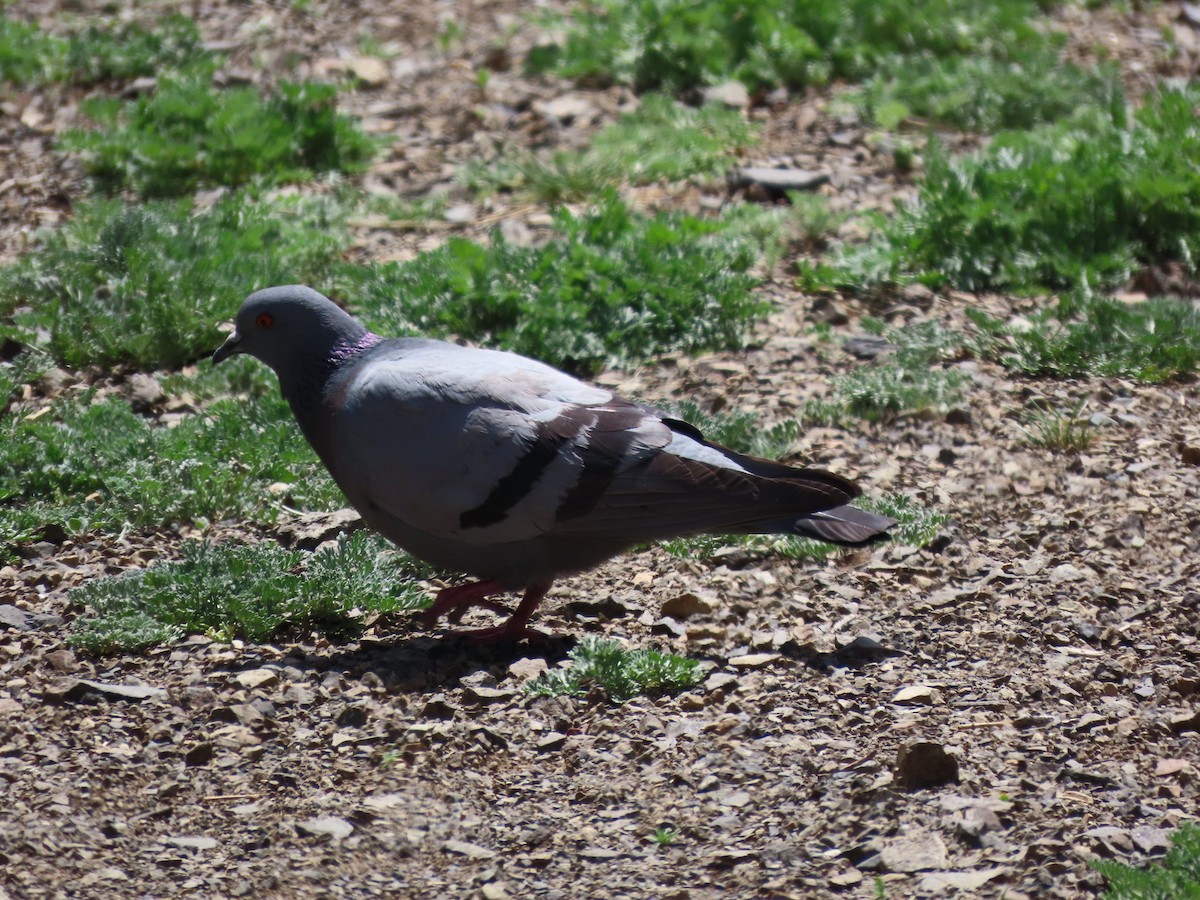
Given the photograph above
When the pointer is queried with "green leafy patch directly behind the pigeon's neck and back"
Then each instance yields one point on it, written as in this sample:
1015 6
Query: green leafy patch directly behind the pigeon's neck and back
613 286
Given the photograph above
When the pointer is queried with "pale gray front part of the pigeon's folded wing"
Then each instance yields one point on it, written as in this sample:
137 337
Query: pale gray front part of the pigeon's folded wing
477 446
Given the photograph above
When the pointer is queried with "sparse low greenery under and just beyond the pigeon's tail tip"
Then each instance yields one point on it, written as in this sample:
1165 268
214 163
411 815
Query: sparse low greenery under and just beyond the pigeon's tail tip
916 527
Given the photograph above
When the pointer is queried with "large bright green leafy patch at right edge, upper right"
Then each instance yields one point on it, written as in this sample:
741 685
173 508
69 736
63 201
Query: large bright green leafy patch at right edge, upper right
1087 202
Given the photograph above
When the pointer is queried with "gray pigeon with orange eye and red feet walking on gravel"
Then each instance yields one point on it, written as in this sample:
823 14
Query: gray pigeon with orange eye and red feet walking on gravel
506 469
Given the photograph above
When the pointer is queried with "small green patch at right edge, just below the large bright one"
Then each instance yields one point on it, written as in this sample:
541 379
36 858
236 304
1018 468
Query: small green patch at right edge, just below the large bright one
1085 335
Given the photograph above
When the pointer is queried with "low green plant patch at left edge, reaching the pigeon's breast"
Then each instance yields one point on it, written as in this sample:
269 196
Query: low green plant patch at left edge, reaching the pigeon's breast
89 465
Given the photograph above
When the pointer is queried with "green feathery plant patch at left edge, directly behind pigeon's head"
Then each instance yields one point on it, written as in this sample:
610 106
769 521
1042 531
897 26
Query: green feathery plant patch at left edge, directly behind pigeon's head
148 285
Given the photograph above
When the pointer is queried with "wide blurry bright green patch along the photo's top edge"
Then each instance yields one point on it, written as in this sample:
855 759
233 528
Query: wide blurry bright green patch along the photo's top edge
677 45
